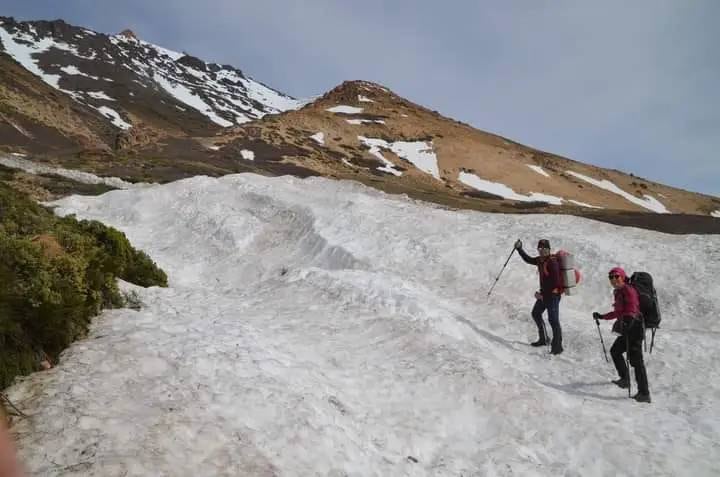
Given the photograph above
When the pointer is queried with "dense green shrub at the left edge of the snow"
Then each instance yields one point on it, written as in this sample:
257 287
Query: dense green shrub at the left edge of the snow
56 274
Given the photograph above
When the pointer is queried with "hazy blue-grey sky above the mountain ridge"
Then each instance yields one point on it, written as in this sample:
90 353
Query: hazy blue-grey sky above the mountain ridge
626 85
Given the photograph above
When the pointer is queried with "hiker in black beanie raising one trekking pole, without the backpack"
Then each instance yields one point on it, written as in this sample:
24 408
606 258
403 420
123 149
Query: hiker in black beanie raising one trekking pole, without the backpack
548 298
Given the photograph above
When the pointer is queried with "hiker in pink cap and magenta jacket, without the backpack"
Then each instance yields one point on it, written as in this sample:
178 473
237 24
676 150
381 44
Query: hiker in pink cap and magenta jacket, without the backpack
626 310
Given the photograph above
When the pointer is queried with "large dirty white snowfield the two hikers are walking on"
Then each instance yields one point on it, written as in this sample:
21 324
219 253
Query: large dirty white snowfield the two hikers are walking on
315 327
